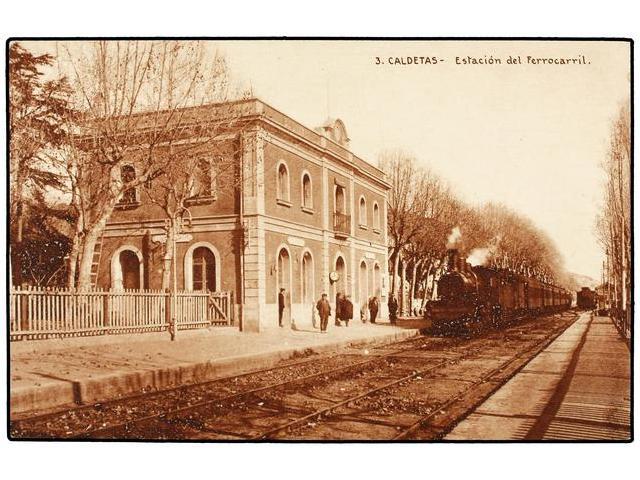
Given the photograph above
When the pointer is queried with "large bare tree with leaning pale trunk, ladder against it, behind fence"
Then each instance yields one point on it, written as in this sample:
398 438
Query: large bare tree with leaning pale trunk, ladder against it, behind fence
137 100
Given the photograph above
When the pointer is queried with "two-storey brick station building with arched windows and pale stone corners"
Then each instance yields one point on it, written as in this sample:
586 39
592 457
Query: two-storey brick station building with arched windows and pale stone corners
313 216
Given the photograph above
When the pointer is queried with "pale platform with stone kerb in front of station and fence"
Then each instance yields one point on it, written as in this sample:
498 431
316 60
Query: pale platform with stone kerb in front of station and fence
51 374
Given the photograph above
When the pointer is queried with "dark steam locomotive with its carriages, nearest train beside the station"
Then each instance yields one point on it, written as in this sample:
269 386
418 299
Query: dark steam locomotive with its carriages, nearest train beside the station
475 298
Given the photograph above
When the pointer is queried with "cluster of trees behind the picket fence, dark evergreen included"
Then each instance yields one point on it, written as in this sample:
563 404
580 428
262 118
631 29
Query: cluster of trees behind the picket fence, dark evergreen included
110 105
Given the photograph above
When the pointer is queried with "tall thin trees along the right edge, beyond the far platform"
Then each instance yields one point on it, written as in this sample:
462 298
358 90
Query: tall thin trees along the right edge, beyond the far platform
613 225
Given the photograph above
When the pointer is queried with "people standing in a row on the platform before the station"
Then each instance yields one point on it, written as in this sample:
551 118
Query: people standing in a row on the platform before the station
344 310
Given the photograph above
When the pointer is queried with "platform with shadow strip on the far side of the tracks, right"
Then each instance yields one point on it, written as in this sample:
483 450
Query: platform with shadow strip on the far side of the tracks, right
578 388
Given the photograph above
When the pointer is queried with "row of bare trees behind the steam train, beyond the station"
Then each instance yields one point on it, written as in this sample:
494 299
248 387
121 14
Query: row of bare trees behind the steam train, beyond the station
425 218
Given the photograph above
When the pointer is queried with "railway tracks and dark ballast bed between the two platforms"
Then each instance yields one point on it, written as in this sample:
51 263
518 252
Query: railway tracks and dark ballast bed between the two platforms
314 397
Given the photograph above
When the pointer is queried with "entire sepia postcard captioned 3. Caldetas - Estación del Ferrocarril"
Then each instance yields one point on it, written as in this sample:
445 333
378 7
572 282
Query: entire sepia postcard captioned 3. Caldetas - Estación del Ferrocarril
320 240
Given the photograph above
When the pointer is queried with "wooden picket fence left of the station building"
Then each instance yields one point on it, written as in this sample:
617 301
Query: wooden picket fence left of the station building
36 313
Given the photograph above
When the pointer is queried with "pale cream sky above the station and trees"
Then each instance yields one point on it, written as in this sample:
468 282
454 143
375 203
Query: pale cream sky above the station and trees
531 136
